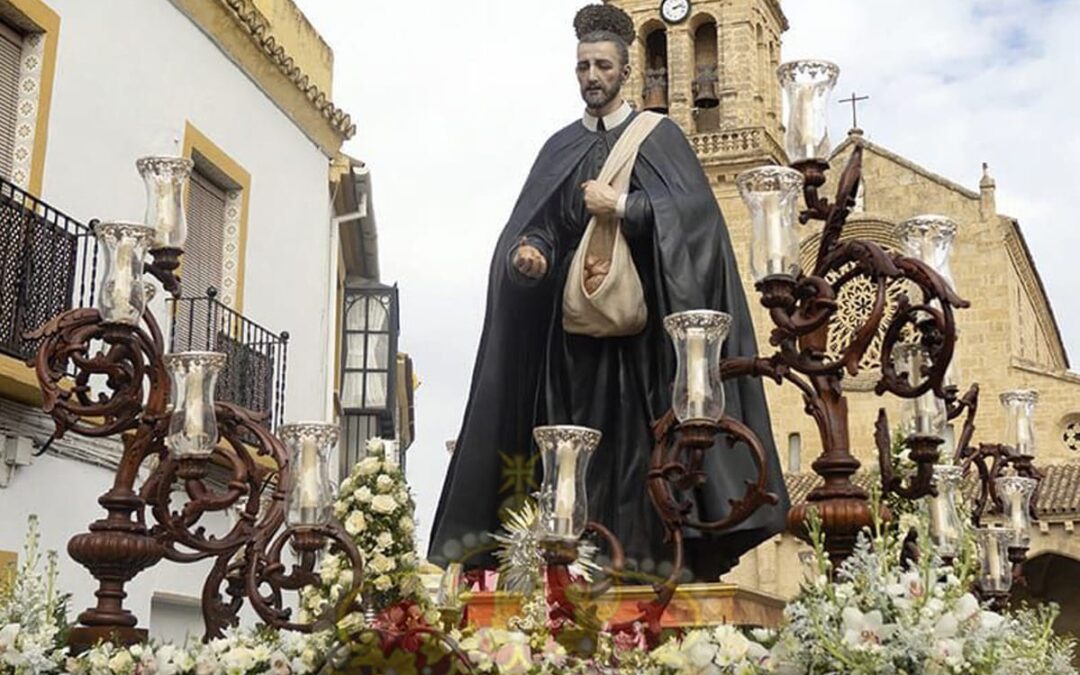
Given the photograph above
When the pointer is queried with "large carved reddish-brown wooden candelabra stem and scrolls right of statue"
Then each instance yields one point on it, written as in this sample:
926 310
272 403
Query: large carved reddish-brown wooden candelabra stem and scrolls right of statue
803 308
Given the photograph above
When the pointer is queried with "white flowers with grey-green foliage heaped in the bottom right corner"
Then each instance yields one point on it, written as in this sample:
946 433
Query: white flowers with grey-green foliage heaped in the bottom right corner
879 617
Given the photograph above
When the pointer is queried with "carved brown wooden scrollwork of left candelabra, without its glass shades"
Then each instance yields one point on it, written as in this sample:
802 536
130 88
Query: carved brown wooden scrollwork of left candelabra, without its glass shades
121 386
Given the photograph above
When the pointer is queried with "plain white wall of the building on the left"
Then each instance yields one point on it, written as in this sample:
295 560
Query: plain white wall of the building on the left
129 75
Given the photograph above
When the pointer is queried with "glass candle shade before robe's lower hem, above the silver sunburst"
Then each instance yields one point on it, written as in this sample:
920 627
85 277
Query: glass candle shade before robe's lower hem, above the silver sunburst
564 505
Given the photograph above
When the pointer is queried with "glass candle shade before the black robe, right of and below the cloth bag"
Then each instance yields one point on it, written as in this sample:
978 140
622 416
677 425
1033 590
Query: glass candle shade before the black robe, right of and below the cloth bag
698 390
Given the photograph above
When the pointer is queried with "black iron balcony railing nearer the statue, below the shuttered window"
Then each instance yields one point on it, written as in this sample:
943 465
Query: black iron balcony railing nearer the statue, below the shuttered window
254 376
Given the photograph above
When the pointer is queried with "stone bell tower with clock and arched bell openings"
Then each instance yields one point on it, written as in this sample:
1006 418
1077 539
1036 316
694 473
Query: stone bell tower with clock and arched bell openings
711 66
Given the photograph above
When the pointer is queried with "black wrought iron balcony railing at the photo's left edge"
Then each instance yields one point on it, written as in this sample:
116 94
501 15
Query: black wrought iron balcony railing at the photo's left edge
48 265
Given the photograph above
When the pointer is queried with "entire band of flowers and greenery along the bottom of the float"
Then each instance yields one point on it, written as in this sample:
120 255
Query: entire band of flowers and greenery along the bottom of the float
873 616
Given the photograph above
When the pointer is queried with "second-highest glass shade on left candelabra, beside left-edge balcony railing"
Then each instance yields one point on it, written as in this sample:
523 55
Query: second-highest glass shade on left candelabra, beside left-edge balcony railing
123 298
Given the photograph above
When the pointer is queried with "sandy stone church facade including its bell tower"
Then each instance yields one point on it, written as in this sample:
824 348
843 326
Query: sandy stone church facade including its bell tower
713 70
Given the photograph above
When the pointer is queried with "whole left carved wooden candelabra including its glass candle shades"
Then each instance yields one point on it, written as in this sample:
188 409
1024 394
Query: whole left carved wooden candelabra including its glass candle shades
104 372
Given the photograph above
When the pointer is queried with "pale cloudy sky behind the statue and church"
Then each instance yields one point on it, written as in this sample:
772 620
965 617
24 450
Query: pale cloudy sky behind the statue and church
454 99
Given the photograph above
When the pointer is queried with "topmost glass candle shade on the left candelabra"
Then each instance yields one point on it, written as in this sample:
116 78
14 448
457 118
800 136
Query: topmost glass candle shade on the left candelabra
166 180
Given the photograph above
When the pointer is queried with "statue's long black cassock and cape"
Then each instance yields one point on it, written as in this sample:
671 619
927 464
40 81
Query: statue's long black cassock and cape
530 373
